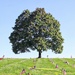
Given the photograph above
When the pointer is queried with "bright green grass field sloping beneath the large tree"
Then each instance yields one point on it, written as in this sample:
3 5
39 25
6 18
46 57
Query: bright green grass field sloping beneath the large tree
43 66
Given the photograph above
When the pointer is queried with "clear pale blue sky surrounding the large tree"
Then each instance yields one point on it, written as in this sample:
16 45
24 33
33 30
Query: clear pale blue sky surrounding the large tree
62 10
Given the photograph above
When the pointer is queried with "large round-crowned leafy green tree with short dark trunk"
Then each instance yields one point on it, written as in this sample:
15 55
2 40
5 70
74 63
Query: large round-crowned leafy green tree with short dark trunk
36 30
